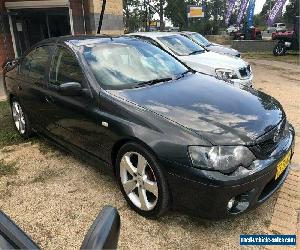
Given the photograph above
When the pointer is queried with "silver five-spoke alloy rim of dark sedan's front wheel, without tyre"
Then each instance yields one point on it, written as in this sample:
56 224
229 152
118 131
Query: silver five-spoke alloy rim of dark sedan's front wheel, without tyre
139 181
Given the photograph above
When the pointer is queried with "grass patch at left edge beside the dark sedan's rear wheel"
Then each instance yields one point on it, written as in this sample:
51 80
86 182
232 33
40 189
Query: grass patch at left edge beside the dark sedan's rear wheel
8 134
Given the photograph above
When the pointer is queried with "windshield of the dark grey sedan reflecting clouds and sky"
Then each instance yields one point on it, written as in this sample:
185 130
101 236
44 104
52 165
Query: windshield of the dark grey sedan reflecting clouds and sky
131 64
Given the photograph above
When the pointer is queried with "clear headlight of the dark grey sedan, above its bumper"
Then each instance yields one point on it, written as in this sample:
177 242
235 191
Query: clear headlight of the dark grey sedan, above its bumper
225 159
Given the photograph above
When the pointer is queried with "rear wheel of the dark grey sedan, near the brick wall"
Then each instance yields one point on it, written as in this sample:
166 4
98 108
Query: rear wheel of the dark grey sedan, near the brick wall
20 119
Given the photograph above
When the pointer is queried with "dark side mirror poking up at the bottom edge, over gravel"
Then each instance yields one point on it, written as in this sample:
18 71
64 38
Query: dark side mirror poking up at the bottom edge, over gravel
104 232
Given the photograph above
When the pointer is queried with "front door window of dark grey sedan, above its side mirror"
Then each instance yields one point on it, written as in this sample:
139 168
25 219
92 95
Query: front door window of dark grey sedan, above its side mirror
65 68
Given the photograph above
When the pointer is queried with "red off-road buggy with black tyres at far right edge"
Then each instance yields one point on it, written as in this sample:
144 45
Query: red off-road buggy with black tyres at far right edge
288 40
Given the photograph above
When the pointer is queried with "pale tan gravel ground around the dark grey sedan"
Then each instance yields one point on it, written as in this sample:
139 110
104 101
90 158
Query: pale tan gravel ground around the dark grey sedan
55 197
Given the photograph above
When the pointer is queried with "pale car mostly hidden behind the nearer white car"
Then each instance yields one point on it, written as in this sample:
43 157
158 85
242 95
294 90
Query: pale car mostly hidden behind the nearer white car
214 47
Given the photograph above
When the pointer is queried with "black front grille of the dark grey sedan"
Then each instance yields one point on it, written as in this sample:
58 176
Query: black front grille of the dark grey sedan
268 142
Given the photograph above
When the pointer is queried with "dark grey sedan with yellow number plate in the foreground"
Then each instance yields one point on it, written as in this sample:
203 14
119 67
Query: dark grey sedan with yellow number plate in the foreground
174 138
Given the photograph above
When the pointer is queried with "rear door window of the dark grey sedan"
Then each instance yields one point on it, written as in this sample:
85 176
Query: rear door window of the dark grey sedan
36 62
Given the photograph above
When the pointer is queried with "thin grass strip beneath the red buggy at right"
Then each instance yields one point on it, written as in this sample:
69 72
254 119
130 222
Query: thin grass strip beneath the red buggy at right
290 57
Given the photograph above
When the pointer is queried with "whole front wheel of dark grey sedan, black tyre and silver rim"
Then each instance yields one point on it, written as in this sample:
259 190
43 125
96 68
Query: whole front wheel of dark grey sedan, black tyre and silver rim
141 181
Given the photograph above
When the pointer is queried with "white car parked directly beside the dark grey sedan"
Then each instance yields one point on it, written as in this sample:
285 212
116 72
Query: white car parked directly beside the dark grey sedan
232 70
